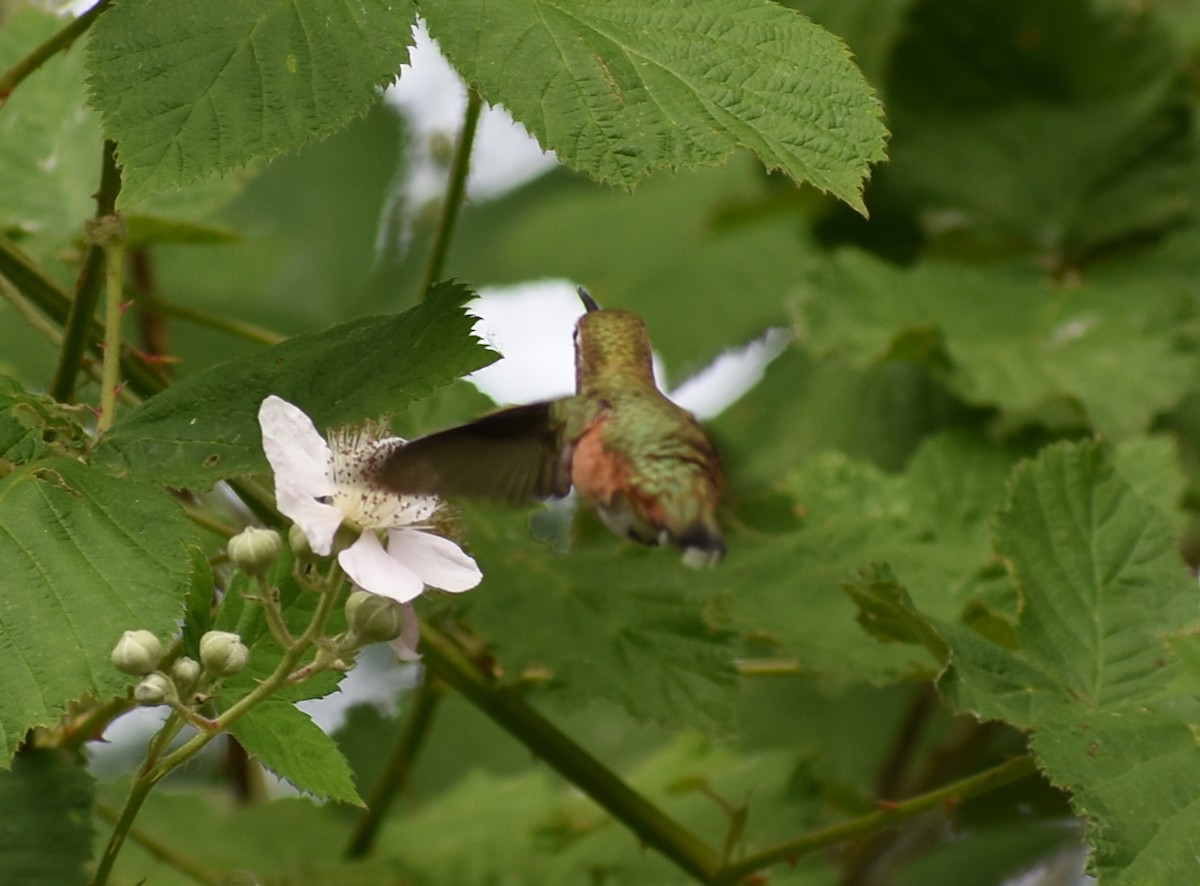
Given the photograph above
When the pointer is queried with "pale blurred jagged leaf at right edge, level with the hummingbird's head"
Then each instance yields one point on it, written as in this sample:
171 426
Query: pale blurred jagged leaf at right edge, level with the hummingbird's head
1007 339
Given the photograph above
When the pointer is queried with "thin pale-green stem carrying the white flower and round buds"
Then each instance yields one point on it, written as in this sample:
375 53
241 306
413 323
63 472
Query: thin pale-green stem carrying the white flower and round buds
154 770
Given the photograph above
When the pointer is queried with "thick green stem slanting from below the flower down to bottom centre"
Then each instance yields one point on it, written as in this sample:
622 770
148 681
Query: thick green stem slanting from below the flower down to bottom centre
646 821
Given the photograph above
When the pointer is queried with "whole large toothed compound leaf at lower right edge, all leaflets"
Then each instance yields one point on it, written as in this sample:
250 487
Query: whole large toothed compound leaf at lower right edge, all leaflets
1109 702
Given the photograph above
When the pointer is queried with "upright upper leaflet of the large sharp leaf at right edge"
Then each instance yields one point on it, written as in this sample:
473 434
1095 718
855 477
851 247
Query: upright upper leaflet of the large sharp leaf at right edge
1100 577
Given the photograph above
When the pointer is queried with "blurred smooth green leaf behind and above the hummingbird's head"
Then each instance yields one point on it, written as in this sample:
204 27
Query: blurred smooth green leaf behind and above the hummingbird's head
677 252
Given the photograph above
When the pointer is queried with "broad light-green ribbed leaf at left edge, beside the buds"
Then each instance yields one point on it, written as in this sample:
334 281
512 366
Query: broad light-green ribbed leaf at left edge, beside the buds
86 558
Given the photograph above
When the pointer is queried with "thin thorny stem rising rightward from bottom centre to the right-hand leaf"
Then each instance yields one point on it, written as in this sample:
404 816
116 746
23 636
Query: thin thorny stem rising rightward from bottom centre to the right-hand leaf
790 851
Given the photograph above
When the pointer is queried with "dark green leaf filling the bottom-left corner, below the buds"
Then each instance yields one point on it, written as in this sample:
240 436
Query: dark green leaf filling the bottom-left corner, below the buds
47 835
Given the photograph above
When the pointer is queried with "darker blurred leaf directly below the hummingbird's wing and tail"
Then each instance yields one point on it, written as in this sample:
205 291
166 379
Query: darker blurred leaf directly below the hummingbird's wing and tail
626 627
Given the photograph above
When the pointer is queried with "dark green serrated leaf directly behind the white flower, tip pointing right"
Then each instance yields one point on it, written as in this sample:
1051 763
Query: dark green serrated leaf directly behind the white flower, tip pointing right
206 428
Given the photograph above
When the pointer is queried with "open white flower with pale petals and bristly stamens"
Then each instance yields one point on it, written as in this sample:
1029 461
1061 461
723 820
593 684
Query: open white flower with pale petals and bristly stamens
320 486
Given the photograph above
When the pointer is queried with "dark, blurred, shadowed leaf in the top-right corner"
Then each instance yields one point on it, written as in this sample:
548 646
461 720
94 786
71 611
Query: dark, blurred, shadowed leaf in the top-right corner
1065 125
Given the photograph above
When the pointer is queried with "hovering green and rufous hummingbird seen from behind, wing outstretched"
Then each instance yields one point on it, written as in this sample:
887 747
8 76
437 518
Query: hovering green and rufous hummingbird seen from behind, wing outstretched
643 463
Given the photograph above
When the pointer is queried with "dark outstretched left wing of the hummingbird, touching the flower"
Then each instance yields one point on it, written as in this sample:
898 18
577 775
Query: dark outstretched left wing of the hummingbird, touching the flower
517 454
